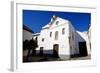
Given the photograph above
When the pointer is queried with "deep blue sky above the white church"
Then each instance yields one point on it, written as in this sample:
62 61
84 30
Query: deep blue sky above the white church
35 20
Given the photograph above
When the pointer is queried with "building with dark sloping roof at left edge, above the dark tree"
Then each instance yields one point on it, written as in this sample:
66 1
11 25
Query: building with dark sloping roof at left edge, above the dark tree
27 33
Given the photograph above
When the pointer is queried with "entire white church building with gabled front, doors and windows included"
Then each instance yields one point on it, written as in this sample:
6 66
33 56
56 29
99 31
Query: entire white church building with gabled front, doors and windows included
60 39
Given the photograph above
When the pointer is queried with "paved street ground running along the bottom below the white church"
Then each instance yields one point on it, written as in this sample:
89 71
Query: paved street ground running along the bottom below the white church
43 59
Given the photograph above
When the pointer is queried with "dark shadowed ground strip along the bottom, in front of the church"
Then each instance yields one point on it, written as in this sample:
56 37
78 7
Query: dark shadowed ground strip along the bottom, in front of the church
44 58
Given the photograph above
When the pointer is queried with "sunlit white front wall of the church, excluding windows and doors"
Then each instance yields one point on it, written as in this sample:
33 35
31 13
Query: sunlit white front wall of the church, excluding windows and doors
63 40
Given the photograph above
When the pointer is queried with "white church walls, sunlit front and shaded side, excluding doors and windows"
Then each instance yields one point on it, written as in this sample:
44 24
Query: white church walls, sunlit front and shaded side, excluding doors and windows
67 46
